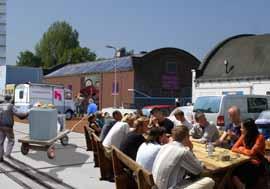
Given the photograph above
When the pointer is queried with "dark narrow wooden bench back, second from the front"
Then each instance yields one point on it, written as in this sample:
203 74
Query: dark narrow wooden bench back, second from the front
105 163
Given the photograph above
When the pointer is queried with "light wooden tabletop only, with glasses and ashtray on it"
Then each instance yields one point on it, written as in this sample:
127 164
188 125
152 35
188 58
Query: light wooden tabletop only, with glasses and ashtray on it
214 163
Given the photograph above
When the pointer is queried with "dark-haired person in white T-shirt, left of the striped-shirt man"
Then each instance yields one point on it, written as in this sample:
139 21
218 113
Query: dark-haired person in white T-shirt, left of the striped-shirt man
148 150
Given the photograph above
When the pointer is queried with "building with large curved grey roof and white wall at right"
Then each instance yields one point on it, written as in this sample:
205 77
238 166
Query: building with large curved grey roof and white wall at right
237 65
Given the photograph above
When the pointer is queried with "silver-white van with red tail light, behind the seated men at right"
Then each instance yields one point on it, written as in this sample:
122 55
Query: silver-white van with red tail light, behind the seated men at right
216 107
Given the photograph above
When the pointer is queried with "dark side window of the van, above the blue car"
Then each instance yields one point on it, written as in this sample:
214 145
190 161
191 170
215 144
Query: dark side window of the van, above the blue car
257 105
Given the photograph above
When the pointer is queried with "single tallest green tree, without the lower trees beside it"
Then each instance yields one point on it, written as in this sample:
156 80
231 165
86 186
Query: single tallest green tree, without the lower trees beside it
59 38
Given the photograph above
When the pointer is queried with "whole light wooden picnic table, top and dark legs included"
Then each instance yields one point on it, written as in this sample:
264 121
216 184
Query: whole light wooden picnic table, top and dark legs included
216 168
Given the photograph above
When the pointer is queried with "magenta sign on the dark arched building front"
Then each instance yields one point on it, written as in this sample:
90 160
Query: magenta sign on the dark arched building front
170 81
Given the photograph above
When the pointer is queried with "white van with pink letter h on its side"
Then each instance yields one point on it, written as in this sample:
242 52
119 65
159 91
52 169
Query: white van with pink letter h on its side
26 95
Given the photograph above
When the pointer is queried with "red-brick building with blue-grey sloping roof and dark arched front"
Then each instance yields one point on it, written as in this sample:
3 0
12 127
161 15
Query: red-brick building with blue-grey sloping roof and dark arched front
162 73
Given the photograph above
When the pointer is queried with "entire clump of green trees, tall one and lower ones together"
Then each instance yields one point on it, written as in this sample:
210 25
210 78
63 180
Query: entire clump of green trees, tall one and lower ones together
60 44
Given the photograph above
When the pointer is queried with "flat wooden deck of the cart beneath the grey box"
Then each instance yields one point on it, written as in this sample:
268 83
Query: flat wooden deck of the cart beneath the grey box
27 139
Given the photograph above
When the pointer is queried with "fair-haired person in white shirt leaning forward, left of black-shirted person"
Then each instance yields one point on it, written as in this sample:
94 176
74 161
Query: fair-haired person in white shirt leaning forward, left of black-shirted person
118 132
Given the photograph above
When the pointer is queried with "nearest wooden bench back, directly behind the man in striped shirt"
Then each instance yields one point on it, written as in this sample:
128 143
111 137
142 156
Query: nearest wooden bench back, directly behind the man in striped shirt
129 174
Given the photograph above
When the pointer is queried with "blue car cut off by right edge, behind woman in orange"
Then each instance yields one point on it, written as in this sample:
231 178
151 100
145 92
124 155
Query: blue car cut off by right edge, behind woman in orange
263 123
